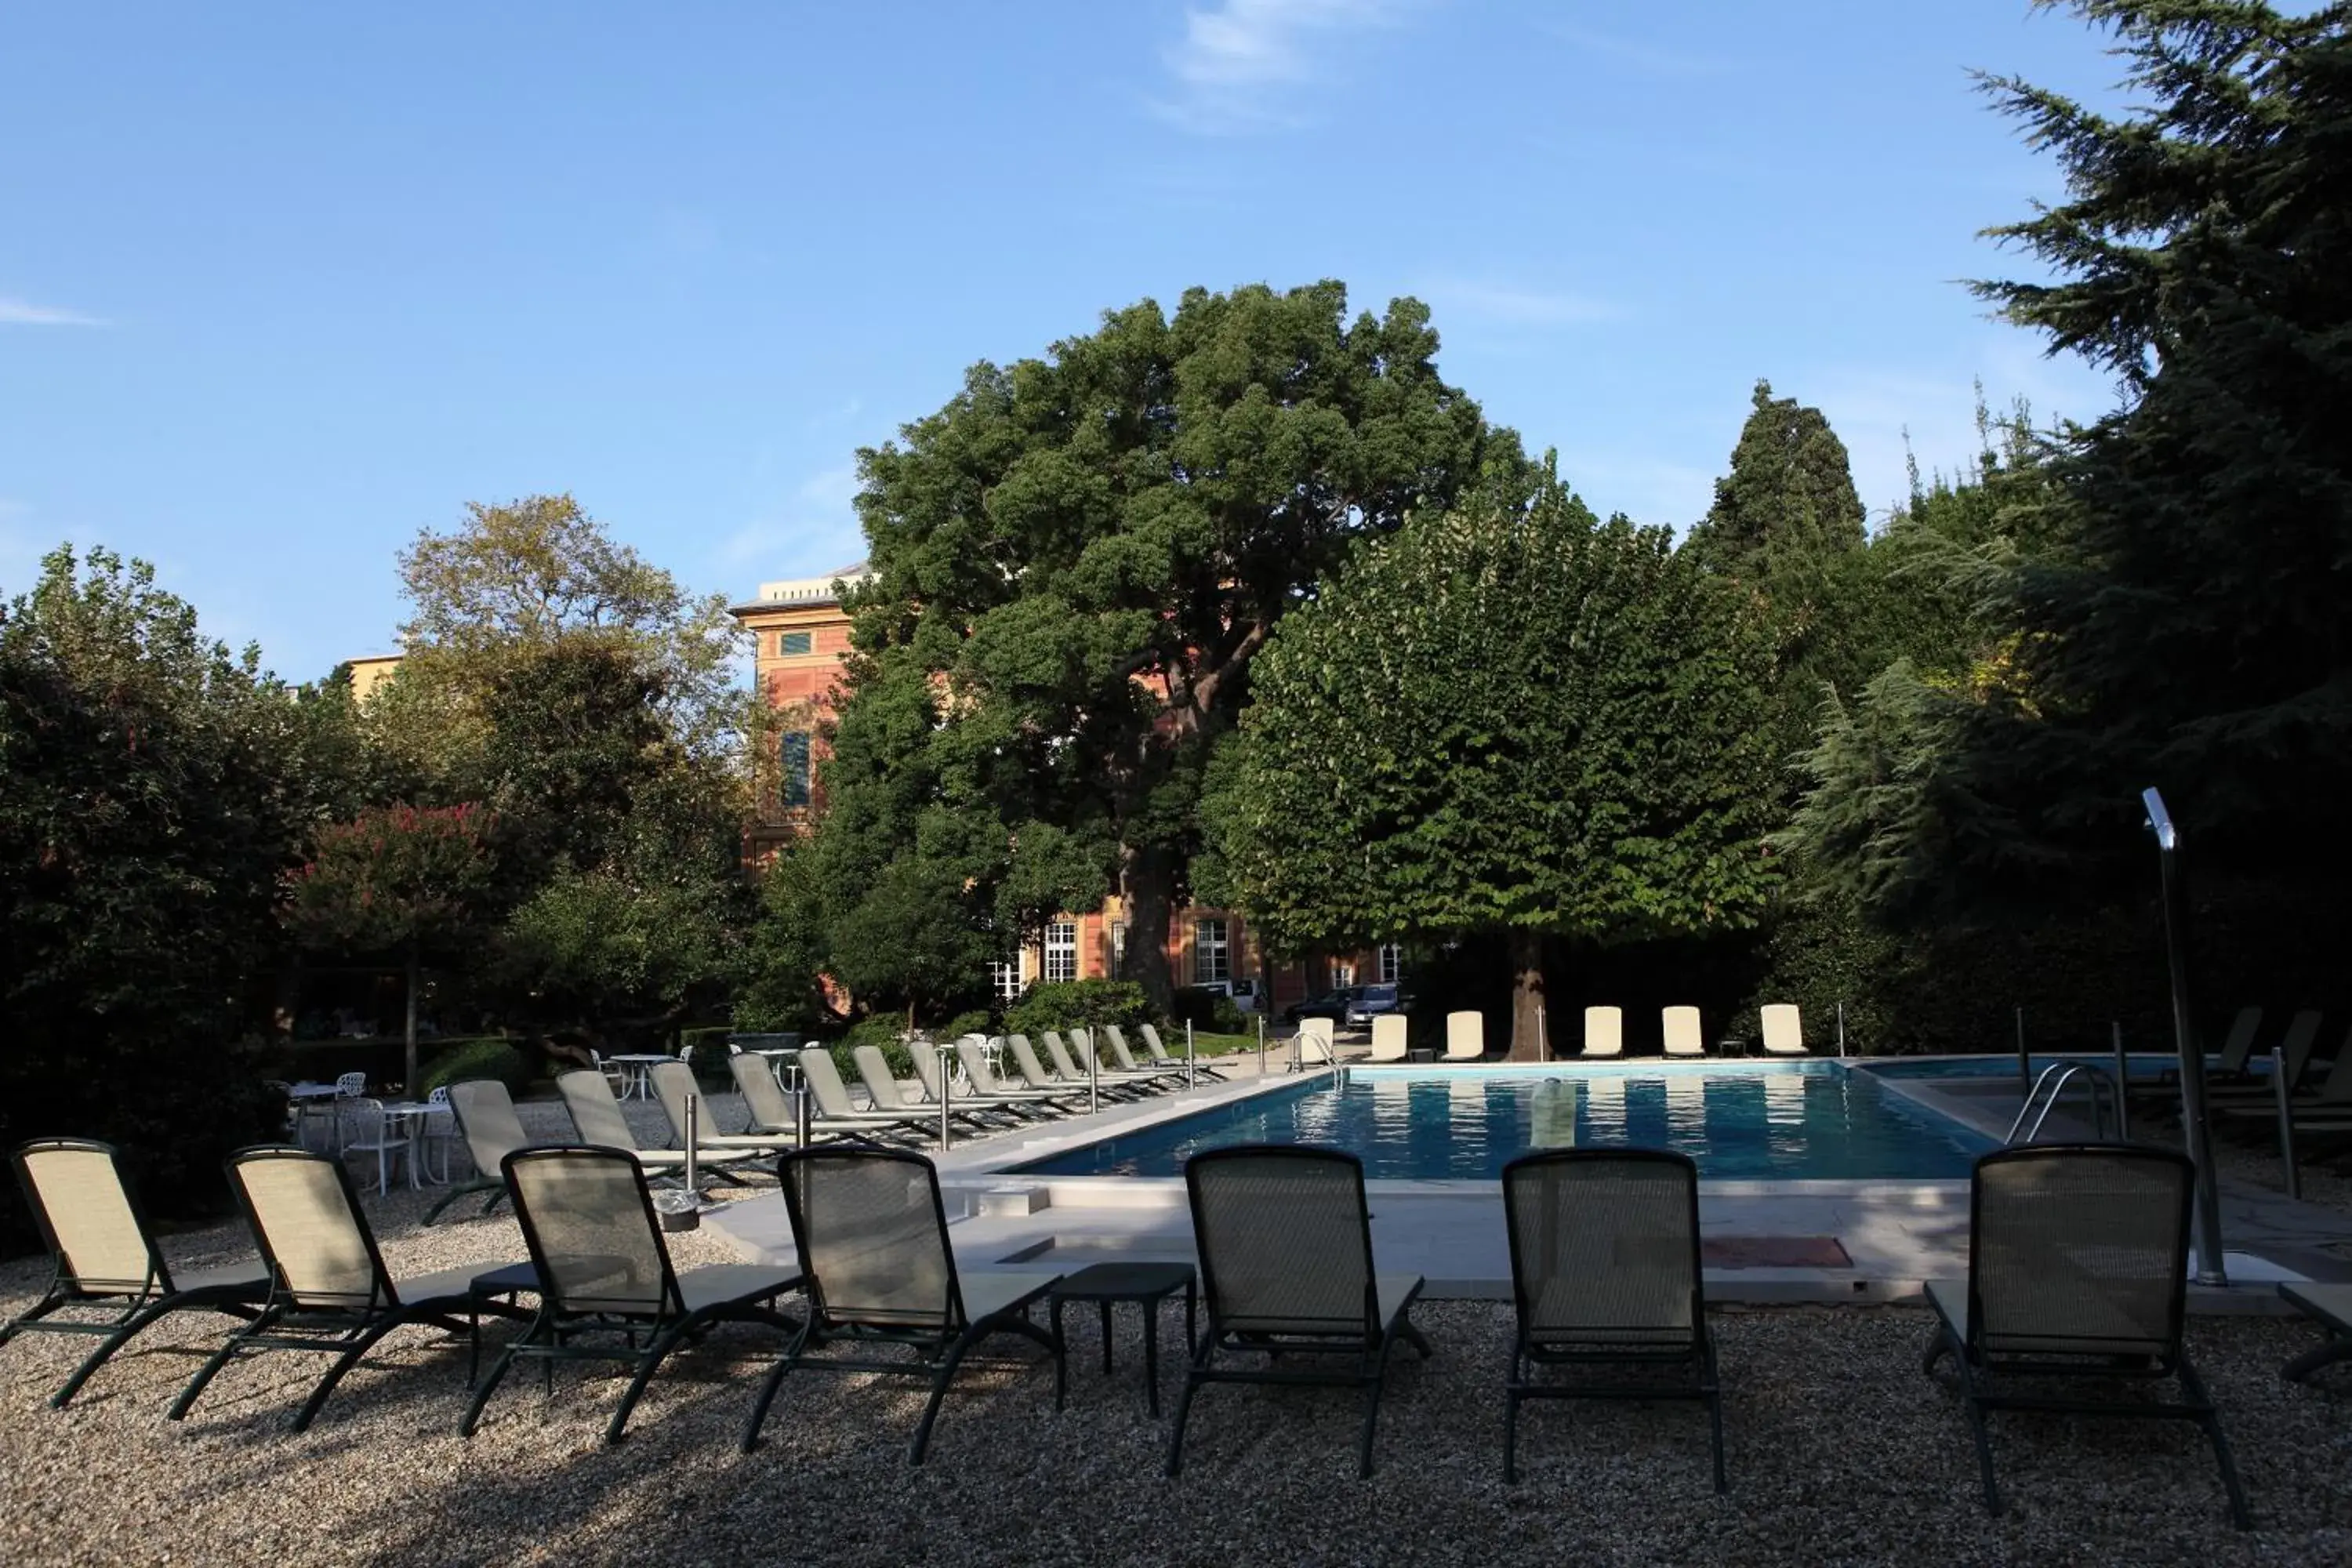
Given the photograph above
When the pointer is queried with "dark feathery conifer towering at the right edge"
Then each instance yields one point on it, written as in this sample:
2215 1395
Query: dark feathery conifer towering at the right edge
2186 622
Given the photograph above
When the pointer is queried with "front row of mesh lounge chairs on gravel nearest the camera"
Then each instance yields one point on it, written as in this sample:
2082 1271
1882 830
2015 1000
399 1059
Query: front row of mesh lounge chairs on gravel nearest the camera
2078 1268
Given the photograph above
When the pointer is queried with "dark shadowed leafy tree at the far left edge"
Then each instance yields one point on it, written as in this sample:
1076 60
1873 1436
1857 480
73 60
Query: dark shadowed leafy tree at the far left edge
154 789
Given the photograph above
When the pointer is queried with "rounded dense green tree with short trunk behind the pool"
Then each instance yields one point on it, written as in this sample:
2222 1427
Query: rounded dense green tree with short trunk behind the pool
1504 725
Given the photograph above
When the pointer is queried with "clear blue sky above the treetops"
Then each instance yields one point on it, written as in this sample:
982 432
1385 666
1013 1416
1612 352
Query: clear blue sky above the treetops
286 283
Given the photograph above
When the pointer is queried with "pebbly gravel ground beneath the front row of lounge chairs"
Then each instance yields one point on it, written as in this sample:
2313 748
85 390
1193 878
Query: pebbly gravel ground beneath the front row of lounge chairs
1840 1454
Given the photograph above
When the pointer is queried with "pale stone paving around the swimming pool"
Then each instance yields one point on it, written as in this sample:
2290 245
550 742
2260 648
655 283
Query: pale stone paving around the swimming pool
1765 1240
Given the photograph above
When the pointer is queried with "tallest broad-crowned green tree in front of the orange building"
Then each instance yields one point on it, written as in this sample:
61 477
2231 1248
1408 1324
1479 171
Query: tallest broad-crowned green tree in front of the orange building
1081 558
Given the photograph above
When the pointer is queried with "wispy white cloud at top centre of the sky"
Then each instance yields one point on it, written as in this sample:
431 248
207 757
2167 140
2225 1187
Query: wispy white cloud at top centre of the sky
1241 62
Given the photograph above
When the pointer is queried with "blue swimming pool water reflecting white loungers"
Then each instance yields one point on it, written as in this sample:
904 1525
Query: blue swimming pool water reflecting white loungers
1749 1123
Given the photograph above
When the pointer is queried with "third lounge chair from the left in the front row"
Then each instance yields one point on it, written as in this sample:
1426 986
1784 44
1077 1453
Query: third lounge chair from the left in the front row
603 1271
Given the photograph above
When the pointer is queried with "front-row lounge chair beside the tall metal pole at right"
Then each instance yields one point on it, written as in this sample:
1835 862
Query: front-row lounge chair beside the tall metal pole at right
2078 1268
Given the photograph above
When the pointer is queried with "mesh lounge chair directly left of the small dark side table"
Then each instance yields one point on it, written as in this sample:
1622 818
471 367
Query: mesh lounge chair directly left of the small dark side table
874 1242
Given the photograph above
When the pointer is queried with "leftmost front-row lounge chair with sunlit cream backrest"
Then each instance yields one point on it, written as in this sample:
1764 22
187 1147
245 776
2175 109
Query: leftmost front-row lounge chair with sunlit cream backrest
102 1254
